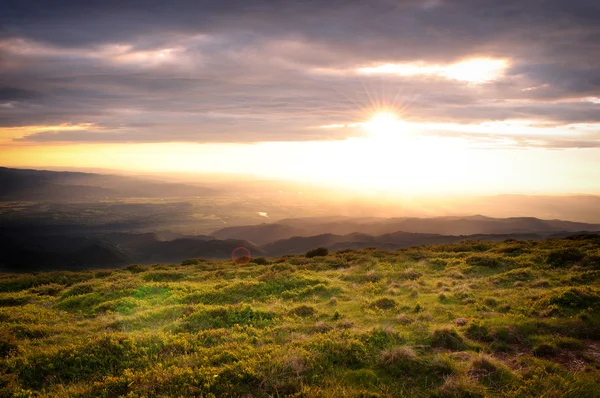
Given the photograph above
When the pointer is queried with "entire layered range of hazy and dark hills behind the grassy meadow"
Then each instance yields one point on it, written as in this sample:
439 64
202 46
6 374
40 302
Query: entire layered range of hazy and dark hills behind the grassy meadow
28 251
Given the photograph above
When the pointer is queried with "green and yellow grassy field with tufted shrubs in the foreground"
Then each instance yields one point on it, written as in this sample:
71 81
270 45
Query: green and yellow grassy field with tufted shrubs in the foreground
474 319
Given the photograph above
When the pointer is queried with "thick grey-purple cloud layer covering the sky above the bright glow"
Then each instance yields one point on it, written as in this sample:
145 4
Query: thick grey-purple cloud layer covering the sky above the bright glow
273 70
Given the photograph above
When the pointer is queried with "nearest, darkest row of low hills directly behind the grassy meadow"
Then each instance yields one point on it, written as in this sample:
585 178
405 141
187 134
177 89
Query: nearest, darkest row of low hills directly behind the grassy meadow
28 250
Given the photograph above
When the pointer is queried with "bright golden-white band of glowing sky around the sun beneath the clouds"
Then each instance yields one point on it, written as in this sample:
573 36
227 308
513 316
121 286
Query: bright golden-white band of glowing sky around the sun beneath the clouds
390 154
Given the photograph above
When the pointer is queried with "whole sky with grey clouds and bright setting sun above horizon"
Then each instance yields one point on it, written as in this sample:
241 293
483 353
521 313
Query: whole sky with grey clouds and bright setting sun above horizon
429 96
